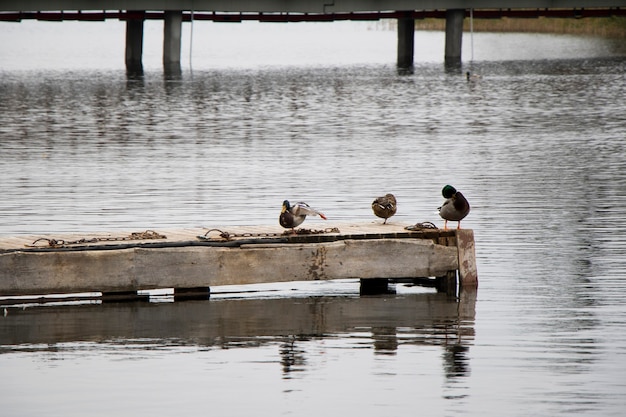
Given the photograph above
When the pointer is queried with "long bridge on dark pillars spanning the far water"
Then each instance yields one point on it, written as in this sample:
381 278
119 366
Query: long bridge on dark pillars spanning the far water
175 12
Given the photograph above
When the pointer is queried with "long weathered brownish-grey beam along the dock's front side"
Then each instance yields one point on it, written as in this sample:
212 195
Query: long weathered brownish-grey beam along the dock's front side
115 270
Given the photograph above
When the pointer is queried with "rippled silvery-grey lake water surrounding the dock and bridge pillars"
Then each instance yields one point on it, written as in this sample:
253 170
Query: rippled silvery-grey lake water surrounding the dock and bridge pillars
318 112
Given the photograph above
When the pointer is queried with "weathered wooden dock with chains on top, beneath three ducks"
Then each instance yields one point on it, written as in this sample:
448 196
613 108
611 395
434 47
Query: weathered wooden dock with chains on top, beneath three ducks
192 260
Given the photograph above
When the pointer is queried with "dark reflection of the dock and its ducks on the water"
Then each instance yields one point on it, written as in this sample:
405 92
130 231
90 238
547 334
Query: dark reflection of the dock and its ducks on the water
382 322
